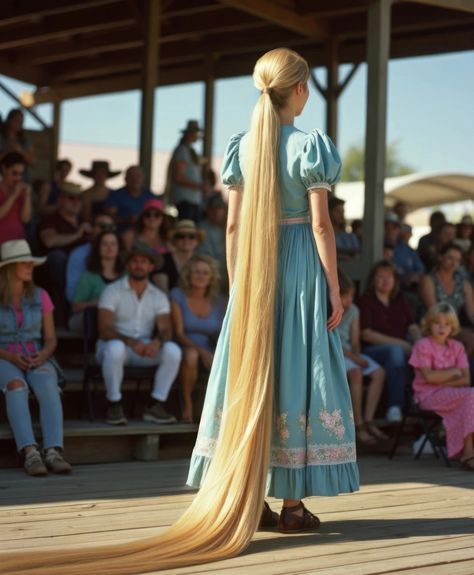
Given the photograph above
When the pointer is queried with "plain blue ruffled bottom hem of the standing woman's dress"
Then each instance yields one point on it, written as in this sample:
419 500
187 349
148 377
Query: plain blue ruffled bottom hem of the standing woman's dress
285 483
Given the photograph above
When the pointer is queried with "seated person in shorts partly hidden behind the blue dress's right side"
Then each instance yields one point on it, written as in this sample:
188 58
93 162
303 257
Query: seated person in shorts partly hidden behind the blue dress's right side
359 365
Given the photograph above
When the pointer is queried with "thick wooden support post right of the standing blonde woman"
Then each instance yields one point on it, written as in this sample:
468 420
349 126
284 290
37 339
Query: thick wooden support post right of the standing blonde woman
378 49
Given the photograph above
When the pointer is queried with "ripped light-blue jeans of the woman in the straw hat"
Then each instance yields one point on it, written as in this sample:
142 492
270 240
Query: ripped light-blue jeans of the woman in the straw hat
43 382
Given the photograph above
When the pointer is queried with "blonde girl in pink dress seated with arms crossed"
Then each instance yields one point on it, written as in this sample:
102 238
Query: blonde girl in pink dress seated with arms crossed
441 381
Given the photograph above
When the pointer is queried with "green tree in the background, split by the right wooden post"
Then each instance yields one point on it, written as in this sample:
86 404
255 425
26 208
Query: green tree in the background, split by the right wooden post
353 163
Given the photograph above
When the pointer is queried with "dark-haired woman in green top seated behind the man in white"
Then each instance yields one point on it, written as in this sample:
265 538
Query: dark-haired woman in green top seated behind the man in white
104 266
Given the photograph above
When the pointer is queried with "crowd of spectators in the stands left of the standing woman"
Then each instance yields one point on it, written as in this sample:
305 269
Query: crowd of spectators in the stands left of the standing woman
153 280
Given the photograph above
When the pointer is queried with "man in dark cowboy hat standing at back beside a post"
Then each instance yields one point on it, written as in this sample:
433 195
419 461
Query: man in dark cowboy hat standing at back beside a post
186 187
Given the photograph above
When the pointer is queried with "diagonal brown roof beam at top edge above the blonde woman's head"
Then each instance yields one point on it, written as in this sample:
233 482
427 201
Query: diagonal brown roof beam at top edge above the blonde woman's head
282 16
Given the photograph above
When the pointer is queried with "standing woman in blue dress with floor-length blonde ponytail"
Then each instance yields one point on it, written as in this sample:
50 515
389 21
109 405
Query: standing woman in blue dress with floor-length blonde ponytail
277 417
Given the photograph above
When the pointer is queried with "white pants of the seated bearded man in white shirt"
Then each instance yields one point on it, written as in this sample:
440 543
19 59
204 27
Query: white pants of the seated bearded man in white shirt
114 355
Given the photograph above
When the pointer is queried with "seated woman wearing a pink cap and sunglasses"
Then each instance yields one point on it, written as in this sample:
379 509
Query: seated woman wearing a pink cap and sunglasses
148 229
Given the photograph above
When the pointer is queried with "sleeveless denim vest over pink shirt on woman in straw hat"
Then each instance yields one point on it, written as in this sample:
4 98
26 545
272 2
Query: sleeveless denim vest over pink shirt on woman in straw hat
31 328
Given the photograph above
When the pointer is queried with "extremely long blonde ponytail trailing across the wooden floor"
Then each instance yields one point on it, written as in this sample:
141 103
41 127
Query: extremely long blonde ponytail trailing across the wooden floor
225 512
